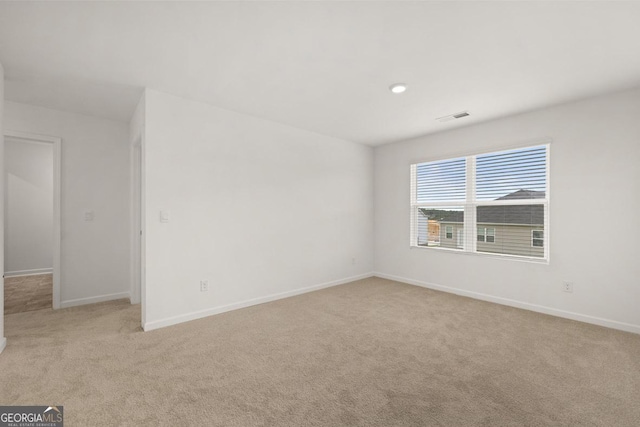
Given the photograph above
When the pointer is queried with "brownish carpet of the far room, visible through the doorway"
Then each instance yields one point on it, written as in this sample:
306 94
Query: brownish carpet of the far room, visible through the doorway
28 293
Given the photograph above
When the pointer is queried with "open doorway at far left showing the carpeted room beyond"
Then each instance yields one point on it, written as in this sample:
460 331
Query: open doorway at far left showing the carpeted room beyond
31 222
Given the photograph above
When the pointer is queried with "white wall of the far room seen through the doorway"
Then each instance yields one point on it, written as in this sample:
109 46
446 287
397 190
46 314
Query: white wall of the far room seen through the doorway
28 210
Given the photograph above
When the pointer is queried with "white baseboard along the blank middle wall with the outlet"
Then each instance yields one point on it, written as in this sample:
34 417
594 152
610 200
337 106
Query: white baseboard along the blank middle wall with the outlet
156 324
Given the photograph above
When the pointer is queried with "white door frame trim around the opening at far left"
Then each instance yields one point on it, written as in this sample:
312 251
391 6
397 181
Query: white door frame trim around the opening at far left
57 161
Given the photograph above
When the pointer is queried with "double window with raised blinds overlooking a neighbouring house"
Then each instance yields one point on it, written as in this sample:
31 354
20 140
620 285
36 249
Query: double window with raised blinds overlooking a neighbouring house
503 194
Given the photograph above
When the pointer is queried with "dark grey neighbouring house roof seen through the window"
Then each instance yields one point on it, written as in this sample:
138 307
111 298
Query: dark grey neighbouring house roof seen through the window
517 214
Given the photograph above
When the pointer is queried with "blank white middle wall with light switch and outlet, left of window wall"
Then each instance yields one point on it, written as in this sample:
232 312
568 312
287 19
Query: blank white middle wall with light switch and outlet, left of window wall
260 210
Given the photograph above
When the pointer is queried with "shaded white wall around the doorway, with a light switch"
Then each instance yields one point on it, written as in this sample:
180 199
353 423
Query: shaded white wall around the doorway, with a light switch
95 255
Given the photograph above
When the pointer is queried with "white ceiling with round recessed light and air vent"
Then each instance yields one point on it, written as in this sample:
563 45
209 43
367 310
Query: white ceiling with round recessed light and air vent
322 66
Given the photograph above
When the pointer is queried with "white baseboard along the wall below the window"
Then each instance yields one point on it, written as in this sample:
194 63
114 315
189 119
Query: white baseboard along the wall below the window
614 324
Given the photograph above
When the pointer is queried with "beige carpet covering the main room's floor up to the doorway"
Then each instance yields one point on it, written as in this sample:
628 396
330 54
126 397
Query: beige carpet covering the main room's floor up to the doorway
369 353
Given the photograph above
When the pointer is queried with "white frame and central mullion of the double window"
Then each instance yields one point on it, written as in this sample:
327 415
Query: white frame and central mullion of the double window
470 204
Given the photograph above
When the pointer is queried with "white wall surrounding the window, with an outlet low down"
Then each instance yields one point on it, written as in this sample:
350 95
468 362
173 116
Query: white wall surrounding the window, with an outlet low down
595 197
